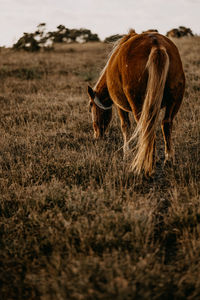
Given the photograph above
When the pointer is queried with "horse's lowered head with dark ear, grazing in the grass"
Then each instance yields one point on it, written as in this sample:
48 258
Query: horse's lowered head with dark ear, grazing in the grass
101 115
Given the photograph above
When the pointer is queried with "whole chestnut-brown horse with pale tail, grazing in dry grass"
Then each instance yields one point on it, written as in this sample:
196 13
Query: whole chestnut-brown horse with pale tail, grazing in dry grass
144 73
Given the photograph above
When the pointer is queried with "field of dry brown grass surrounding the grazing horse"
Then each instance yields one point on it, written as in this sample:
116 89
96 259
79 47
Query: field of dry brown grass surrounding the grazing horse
74 222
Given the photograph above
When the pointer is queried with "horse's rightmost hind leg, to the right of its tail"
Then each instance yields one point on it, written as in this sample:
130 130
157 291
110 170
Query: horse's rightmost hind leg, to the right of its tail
171 111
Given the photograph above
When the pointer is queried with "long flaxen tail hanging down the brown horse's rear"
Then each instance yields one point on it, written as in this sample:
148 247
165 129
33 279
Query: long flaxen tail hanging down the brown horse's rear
157 65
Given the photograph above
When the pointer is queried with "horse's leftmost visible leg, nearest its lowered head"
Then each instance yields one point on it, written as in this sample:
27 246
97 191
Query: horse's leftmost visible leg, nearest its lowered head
125 126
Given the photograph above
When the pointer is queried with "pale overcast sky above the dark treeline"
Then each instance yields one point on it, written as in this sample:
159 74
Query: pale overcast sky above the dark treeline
104 17
